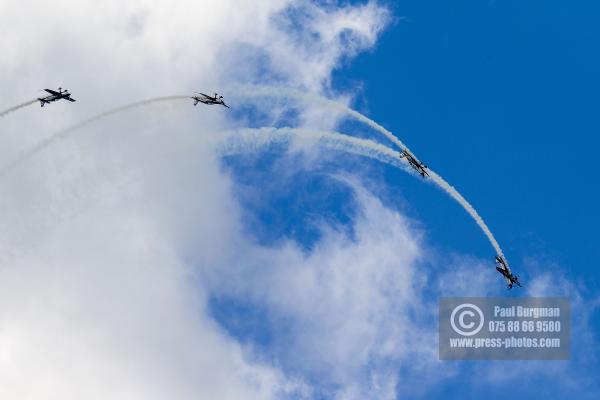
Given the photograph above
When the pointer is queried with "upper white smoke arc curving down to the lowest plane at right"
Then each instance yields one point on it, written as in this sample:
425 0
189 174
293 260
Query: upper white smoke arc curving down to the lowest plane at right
276 92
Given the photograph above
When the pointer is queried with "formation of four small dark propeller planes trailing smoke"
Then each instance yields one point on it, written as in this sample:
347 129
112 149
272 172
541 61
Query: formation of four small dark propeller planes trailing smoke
501 265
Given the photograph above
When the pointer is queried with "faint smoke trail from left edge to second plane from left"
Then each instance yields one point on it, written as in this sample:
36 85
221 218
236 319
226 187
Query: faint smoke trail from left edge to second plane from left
65 132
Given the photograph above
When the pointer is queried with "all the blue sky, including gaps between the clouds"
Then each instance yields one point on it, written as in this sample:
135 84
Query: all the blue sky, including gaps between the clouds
500 98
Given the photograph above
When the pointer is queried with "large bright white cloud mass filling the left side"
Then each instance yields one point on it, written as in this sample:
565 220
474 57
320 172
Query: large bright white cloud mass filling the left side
103 234
